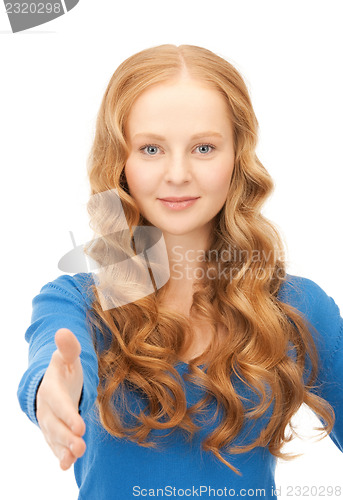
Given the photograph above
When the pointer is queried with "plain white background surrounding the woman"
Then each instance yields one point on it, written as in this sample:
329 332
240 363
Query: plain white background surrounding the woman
52 81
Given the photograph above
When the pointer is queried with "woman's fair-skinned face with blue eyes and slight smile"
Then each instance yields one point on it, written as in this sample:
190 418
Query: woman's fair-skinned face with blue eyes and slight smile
181 145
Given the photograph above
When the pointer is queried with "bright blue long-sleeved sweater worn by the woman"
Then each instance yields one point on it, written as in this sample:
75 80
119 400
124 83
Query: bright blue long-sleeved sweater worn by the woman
113 468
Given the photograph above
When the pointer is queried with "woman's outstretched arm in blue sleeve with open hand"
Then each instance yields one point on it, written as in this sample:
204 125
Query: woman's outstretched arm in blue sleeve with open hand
60 384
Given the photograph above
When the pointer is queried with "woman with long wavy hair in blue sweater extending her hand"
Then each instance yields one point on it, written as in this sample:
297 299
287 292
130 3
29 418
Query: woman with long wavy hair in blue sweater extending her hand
191 384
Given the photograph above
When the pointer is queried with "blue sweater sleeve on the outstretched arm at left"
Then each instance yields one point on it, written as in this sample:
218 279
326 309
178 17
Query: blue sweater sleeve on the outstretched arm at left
60 304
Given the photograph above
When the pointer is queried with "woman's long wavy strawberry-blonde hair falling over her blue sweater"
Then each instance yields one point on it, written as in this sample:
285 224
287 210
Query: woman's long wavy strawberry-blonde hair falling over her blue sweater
138 340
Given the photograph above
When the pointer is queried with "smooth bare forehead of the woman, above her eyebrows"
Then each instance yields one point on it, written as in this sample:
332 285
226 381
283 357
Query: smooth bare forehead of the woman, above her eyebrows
189 102
